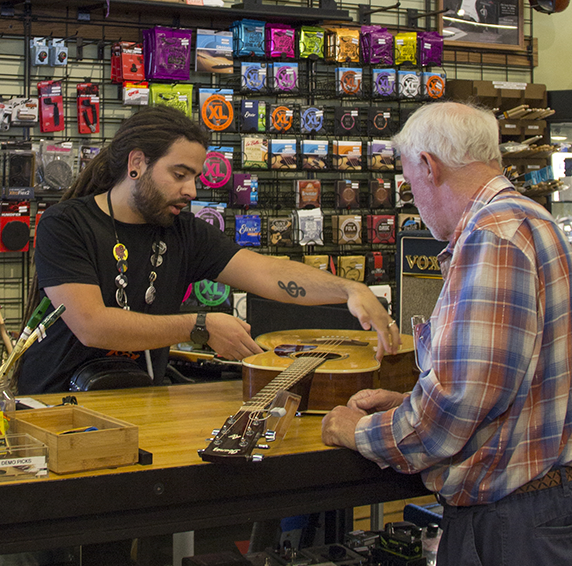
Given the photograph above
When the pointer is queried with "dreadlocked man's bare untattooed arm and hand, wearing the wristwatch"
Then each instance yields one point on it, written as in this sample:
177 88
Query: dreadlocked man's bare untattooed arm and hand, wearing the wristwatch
98 326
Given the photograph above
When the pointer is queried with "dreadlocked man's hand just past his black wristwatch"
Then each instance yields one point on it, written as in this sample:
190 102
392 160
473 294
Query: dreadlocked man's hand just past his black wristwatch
230 337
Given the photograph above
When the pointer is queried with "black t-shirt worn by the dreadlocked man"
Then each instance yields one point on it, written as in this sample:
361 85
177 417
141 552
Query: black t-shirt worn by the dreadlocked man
75 241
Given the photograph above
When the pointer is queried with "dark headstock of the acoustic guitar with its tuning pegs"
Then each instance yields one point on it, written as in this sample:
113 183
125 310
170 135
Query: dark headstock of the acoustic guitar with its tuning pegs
236 440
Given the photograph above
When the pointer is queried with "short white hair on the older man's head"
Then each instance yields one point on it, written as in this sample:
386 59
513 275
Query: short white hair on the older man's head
457 134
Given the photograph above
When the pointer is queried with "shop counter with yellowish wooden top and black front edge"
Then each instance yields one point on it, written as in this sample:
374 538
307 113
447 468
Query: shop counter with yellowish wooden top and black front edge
179 492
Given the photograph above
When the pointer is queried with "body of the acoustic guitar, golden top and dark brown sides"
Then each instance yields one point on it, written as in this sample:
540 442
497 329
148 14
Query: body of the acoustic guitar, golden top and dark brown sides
353 365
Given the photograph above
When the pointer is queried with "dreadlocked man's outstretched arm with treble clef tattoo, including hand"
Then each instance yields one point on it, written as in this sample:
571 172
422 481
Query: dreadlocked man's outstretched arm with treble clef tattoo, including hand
295 282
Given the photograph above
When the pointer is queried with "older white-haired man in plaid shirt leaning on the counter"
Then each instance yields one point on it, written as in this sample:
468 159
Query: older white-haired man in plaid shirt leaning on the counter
488 425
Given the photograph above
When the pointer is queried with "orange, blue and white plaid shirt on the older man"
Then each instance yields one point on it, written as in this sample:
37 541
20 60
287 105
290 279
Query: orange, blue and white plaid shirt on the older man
495 410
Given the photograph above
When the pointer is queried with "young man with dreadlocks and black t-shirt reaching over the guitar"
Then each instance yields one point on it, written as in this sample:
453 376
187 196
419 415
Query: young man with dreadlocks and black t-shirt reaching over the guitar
119 252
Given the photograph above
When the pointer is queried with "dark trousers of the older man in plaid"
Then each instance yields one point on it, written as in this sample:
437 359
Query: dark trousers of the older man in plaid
524 529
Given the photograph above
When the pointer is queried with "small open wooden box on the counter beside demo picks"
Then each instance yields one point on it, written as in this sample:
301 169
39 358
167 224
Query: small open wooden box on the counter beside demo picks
114 443
